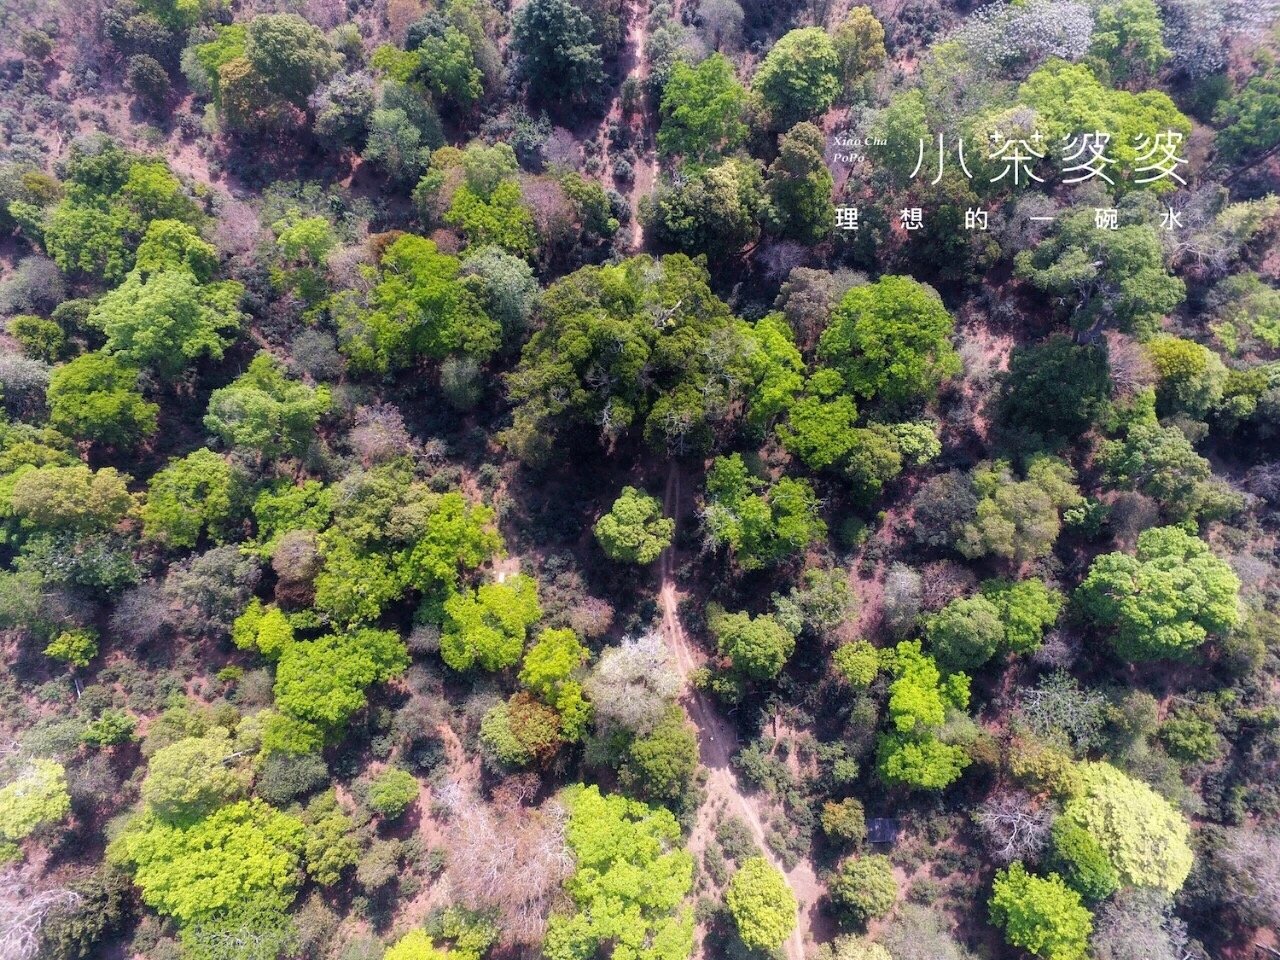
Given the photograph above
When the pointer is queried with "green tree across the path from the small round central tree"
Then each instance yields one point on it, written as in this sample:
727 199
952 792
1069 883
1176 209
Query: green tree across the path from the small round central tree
760 524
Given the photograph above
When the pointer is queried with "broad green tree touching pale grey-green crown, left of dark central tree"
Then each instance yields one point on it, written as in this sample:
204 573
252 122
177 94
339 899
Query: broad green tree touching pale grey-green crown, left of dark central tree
418 308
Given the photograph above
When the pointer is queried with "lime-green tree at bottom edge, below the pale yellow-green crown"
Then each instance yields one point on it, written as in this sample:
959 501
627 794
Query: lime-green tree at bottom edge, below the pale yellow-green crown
1040 915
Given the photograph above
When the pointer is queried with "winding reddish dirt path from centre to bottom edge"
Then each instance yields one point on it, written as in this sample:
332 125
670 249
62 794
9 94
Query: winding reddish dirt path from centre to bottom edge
717 743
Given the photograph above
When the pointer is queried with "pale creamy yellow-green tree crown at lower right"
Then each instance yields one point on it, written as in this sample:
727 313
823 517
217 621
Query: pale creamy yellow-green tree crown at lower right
1145 839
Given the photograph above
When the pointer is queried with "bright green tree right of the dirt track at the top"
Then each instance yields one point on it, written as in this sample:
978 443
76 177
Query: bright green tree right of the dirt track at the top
702 109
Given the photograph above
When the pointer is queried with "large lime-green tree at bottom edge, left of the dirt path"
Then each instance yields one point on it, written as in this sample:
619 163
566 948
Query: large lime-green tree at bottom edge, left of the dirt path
629 885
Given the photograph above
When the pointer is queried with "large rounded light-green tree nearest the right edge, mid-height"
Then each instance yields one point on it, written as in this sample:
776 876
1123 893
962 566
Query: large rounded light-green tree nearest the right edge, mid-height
1164 602
